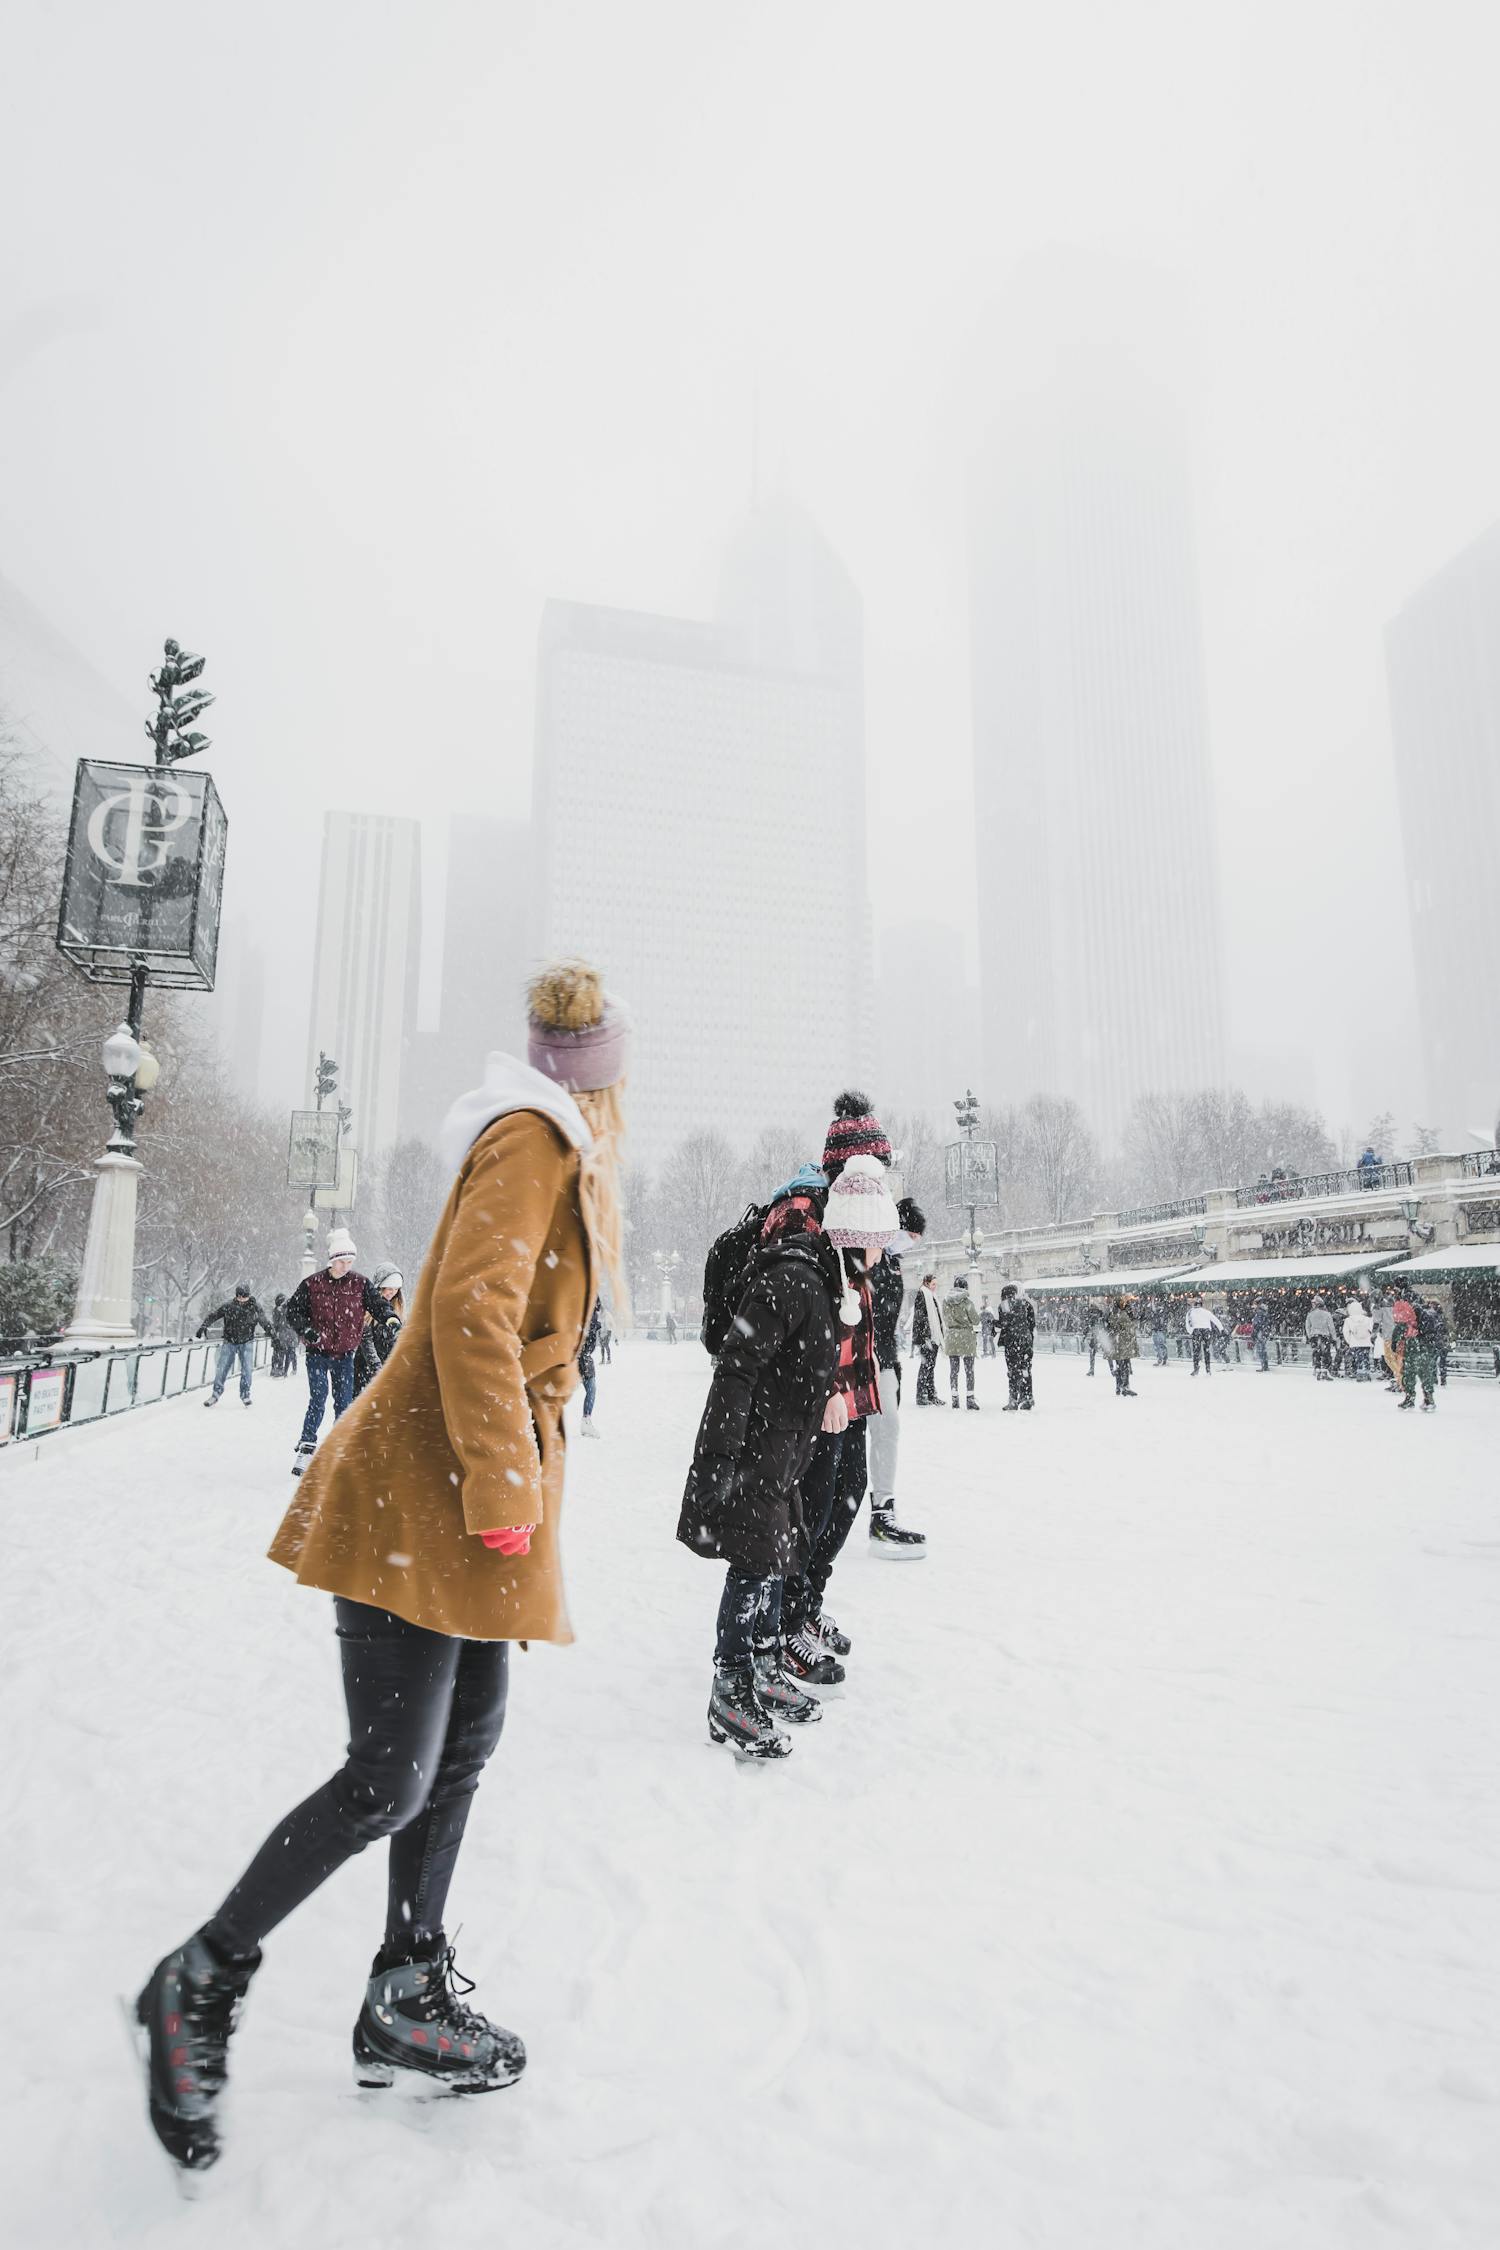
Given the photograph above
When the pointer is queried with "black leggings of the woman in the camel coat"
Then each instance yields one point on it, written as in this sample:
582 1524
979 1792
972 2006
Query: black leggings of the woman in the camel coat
424 1718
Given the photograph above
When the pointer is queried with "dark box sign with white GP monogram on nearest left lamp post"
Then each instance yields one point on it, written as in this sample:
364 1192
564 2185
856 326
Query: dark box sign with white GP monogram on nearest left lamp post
145 876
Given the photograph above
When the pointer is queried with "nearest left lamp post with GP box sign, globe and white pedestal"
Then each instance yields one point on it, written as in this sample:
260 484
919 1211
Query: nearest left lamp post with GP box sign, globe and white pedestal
141 906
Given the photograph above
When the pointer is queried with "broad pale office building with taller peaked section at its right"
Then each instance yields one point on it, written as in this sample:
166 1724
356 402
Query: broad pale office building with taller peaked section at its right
701 834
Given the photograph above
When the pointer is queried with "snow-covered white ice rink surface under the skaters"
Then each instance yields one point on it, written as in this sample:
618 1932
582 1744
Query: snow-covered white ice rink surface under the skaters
1144 1893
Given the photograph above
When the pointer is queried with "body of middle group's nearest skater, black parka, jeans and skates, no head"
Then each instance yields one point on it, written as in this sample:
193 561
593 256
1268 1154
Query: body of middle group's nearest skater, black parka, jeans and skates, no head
772 1385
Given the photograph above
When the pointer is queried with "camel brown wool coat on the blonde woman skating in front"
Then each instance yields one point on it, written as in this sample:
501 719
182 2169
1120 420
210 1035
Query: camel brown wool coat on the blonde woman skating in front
462 1428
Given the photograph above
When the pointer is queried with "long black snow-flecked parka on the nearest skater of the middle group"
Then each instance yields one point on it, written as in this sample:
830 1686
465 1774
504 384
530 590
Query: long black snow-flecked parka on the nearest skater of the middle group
766 1407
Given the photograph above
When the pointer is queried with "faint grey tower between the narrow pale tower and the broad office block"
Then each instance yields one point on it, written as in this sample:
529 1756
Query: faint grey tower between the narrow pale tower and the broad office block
485 971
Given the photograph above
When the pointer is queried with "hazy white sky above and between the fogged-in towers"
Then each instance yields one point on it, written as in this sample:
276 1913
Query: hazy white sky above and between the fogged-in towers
336 336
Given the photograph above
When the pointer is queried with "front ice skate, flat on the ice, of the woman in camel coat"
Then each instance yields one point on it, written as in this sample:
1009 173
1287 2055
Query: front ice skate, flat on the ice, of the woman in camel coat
415 2024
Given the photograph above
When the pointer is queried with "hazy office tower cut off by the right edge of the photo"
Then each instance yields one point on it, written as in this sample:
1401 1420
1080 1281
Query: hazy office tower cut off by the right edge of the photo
1443 658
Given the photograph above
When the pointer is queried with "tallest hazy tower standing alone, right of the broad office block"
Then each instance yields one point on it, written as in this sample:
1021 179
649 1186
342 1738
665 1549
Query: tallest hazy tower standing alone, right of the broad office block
1099 903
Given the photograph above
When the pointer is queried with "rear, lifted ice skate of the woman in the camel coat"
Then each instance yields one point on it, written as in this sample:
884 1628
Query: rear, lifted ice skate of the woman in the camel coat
186 2015
